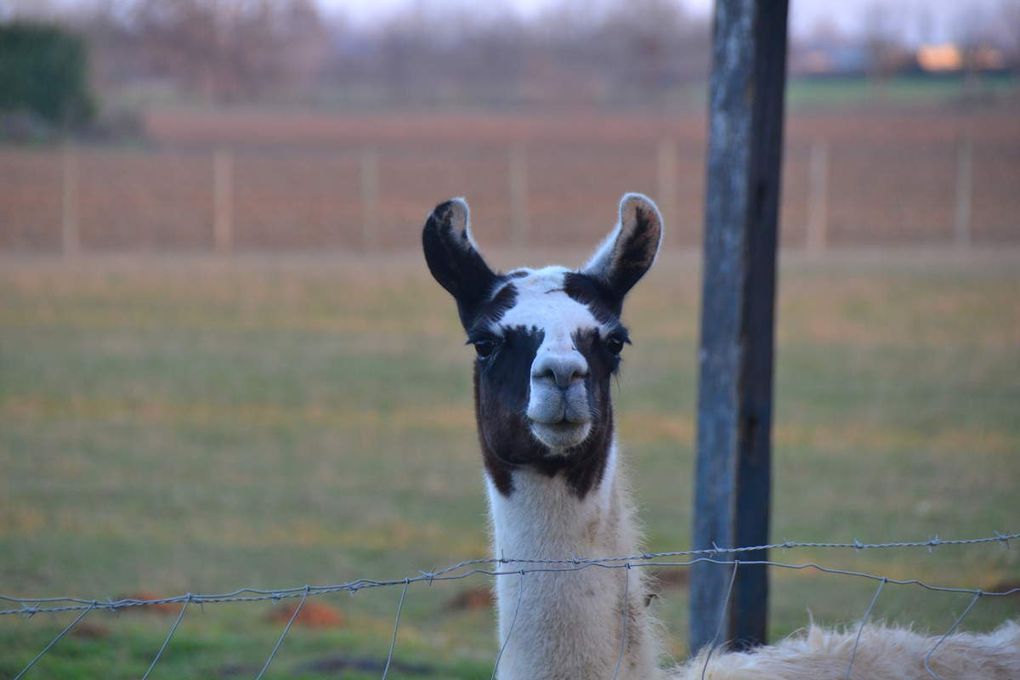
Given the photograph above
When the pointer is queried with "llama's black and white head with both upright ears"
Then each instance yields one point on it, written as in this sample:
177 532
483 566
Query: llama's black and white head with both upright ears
548 343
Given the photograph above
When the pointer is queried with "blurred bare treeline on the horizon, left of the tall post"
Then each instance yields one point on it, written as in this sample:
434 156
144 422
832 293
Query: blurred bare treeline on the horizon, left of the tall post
458 53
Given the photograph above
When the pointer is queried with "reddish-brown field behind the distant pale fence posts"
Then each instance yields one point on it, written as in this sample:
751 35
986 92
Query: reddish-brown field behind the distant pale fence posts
297 186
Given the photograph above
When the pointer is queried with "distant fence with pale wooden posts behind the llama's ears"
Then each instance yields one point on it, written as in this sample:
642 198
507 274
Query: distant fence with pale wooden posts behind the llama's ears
836 193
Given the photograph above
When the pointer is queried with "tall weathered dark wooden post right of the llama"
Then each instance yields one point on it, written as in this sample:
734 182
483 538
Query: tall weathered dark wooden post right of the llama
735 390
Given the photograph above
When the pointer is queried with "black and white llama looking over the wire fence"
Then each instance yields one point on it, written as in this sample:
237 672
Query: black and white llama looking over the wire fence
548 343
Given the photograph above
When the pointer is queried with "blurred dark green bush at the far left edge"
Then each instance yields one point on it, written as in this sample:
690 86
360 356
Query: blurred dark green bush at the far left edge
44 70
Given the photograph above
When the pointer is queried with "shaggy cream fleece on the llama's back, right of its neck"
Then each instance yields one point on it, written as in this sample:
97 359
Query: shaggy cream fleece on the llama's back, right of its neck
884 654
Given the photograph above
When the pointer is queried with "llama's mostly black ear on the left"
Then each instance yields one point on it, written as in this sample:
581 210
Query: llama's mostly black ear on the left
453 258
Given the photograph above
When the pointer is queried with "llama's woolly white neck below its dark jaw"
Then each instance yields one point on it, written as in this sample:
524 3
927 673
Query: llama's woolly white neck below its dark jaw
570 625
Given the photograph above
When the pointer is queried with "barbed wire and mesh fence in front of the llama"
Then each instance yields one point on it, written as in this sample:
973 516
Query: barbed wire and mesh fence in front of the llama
522 568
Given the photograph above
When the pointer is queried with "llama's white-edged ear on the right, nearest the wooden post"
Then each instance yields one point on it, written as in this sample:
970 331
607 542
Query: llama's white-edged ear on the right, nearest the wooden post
631 248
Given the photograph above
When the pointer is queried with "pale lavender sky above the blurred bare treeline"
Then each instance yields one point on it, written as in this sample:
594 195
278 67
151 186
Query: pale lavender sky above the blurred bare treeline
937 18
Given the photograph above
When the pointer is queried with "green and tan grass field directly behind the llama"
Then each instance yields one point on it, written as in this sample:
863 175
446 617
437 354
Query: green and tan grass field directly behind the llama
199 426
